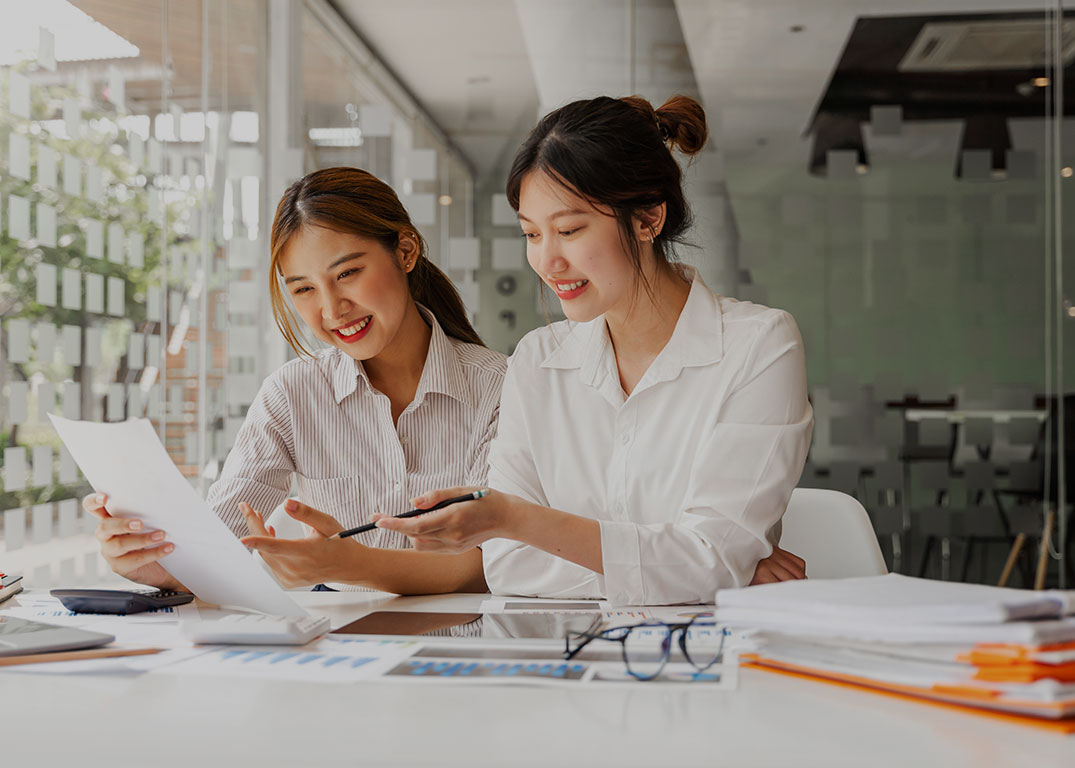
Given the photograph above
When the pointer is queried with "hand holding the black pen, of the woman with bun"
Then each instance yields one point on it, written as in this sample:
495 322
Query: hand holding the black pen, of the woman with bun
460 528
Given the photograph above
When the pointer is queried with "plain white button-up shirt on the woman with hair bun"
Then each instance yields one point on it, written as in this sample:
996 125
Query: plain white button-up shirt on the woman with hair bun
689 477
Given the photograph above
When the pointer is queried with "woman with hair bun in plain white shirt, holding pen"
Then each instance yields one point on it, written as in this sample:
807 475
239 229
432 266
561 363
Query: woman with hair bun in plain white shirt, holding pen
650 444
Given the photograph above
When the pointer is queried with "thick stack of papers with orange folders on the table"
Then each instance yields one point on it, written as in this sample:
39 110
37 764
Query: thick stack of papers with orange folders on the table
1006 651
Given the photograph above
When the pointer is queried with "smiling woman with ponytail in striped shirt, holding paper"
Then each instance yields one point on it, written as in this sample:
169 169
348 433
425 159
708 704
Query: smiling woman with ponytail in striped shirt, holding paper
404 400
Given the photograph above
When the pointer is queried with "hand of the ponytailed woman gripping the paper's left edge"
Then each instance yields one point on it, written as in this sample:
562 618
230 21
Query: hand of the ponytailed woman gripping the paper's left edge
130 551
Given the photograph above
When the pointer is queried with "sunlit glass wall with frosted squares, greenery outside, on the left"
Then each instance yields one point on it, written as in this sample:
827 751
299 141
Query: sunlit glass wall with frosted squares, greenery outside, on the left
135 206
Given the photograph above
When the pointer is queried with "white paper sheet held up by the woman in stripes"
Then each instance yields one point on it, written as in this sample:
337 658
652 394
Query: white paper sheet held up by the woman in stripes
127 462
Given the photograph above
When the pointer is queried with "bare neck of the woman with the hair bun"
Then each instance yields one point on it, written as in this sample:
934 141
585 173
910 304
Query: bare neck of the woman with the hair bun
641 330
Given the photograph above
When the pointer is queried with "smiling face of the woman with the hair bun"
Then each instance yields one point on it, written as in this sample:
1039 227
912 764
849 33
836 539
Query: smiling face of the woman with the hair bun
577 250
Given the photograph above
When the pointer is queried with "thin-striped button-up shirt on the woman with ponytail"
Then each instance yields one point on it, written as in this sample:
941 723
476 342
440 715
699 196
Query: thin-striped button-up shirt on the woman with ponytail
321 423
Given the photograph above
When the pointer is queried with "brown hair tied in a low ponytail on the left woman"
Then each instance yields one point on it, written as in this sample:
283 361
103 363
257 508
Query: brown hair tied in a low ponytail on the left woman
354 202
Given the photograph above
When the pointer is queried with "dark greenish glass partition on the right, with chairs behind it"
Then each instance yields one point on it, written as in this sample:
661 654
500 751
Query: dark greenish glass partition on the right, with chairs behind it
899 178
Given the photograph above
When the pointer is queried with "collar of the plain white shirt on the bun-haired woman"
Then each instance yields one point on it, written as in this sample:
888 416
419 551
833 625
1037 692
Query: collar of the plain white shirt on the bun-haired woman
697 340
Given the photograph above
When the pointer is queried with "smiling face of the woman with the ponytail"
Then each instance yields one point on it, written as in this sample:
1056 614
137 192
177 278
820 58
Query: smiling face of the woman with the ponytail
351 291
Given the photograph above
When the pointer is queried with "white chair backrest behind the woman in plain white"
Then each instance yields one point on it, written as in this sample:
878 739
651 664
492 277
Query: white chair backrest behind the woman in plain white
833 533
